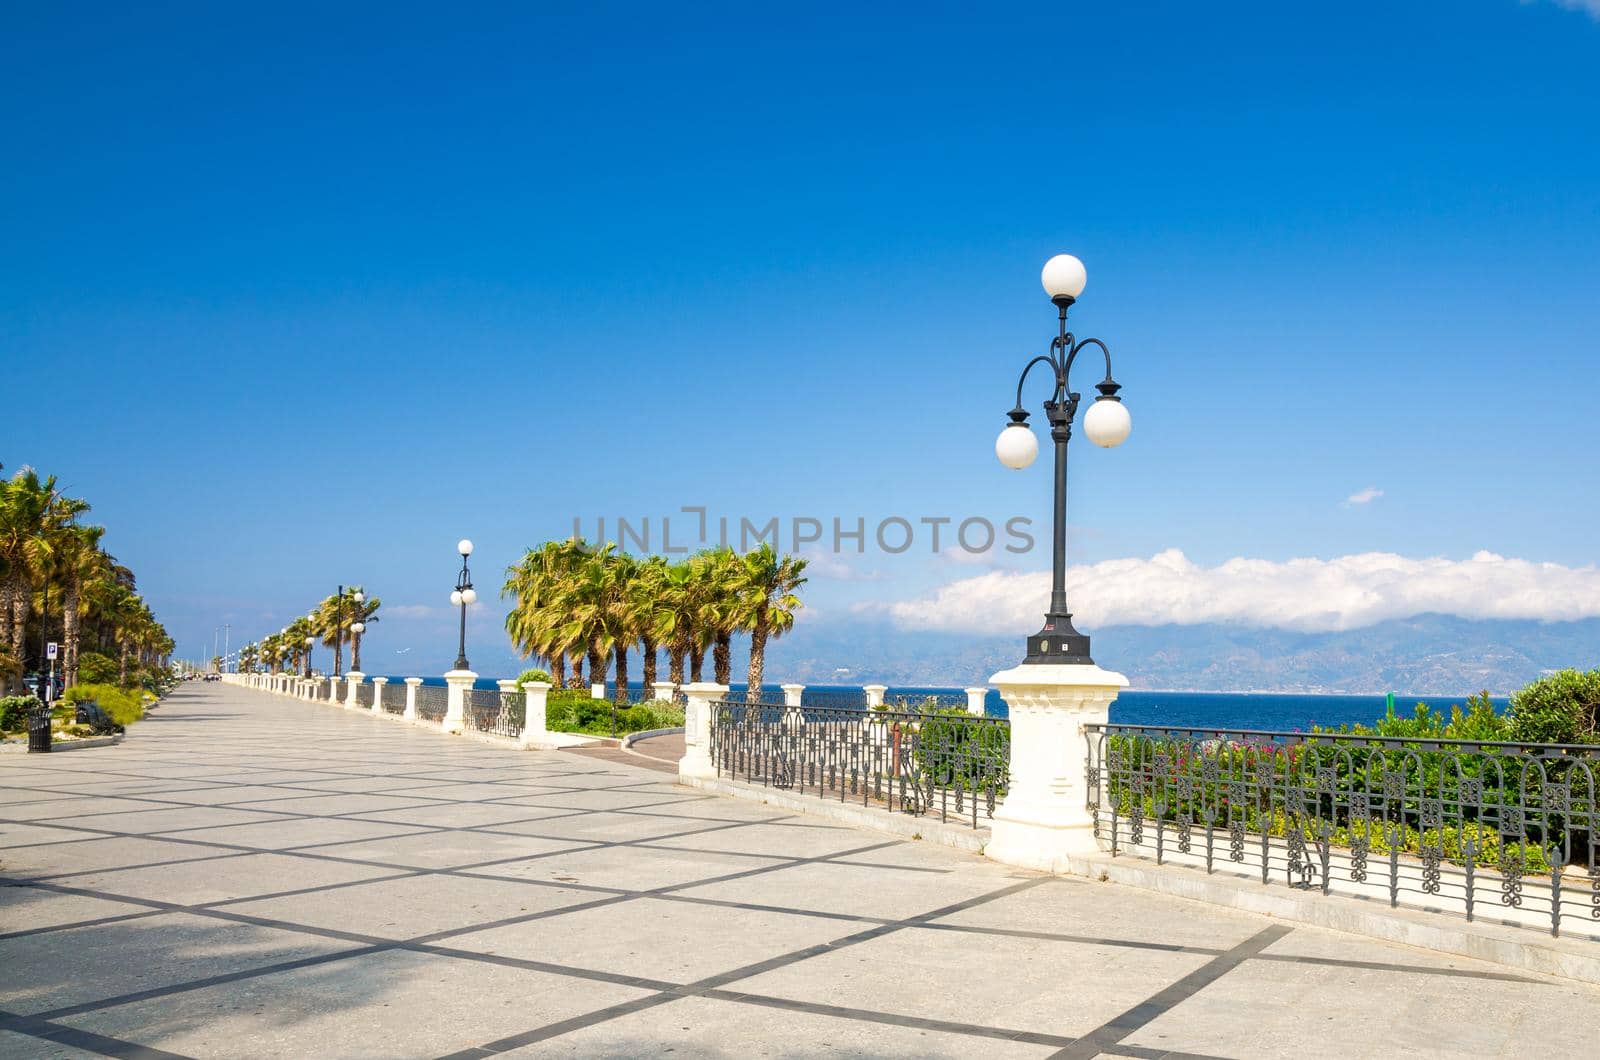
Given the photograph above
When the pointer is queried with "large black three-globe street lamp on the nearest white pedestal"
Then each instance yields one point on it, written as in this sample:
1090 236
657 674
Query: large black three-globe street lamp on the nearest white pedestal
1106 424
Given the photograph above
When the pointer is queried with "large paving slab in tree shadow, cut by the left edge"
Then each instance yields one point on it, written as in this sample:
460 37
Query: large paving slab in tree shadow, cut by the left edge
73 966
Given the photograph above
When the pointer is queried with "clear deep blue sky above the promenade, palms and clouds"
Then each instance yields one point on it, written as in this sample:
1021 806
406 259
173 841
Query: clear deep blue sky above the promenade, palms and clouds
322 289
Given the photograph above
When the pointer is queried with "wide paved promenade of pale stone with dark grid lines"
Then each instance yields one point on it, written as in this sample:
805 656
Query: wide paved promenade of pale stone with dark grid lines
252 877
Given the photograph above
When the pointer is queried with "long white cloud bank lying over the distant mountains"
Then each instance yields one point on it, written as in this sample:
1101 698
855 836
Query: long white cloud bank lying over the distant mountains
1306 595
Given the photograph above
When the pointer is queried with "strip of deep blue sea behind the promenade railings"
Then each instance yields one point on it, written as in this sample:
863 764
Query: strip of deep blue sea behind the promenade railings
1193 710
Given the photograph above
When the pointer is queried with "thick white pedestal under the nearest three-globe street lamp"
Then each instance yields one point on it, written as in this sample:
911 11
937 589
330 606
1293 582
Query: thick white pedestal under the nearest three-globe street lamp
1044 819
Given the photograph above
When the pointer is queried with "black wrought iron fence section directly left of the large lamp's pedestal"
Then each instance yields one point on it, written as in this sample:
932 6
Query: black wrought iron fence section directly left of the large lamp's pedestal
946 765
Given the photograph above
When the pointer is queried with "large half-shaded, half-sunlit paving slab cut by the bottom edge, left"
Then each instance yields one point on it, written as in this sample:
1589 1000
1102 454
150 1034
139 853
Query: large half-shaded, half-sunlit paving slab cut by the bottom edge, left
388 1005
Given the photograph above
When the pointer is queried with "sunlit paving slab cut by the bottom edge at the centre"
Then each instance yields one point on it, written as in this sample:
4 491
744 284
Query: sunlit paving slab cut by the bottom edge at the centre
721 1030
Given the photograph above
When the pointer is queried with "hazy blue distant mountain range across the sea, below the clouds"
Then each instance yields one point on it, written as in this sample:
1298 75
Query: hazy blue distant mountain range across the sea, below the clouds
1430 654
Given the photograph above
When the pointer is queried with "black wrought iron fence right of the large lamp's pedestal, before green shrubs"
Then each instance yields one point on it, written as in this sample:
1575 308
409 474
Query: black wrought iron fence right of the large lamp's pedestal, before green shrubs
1426 822
